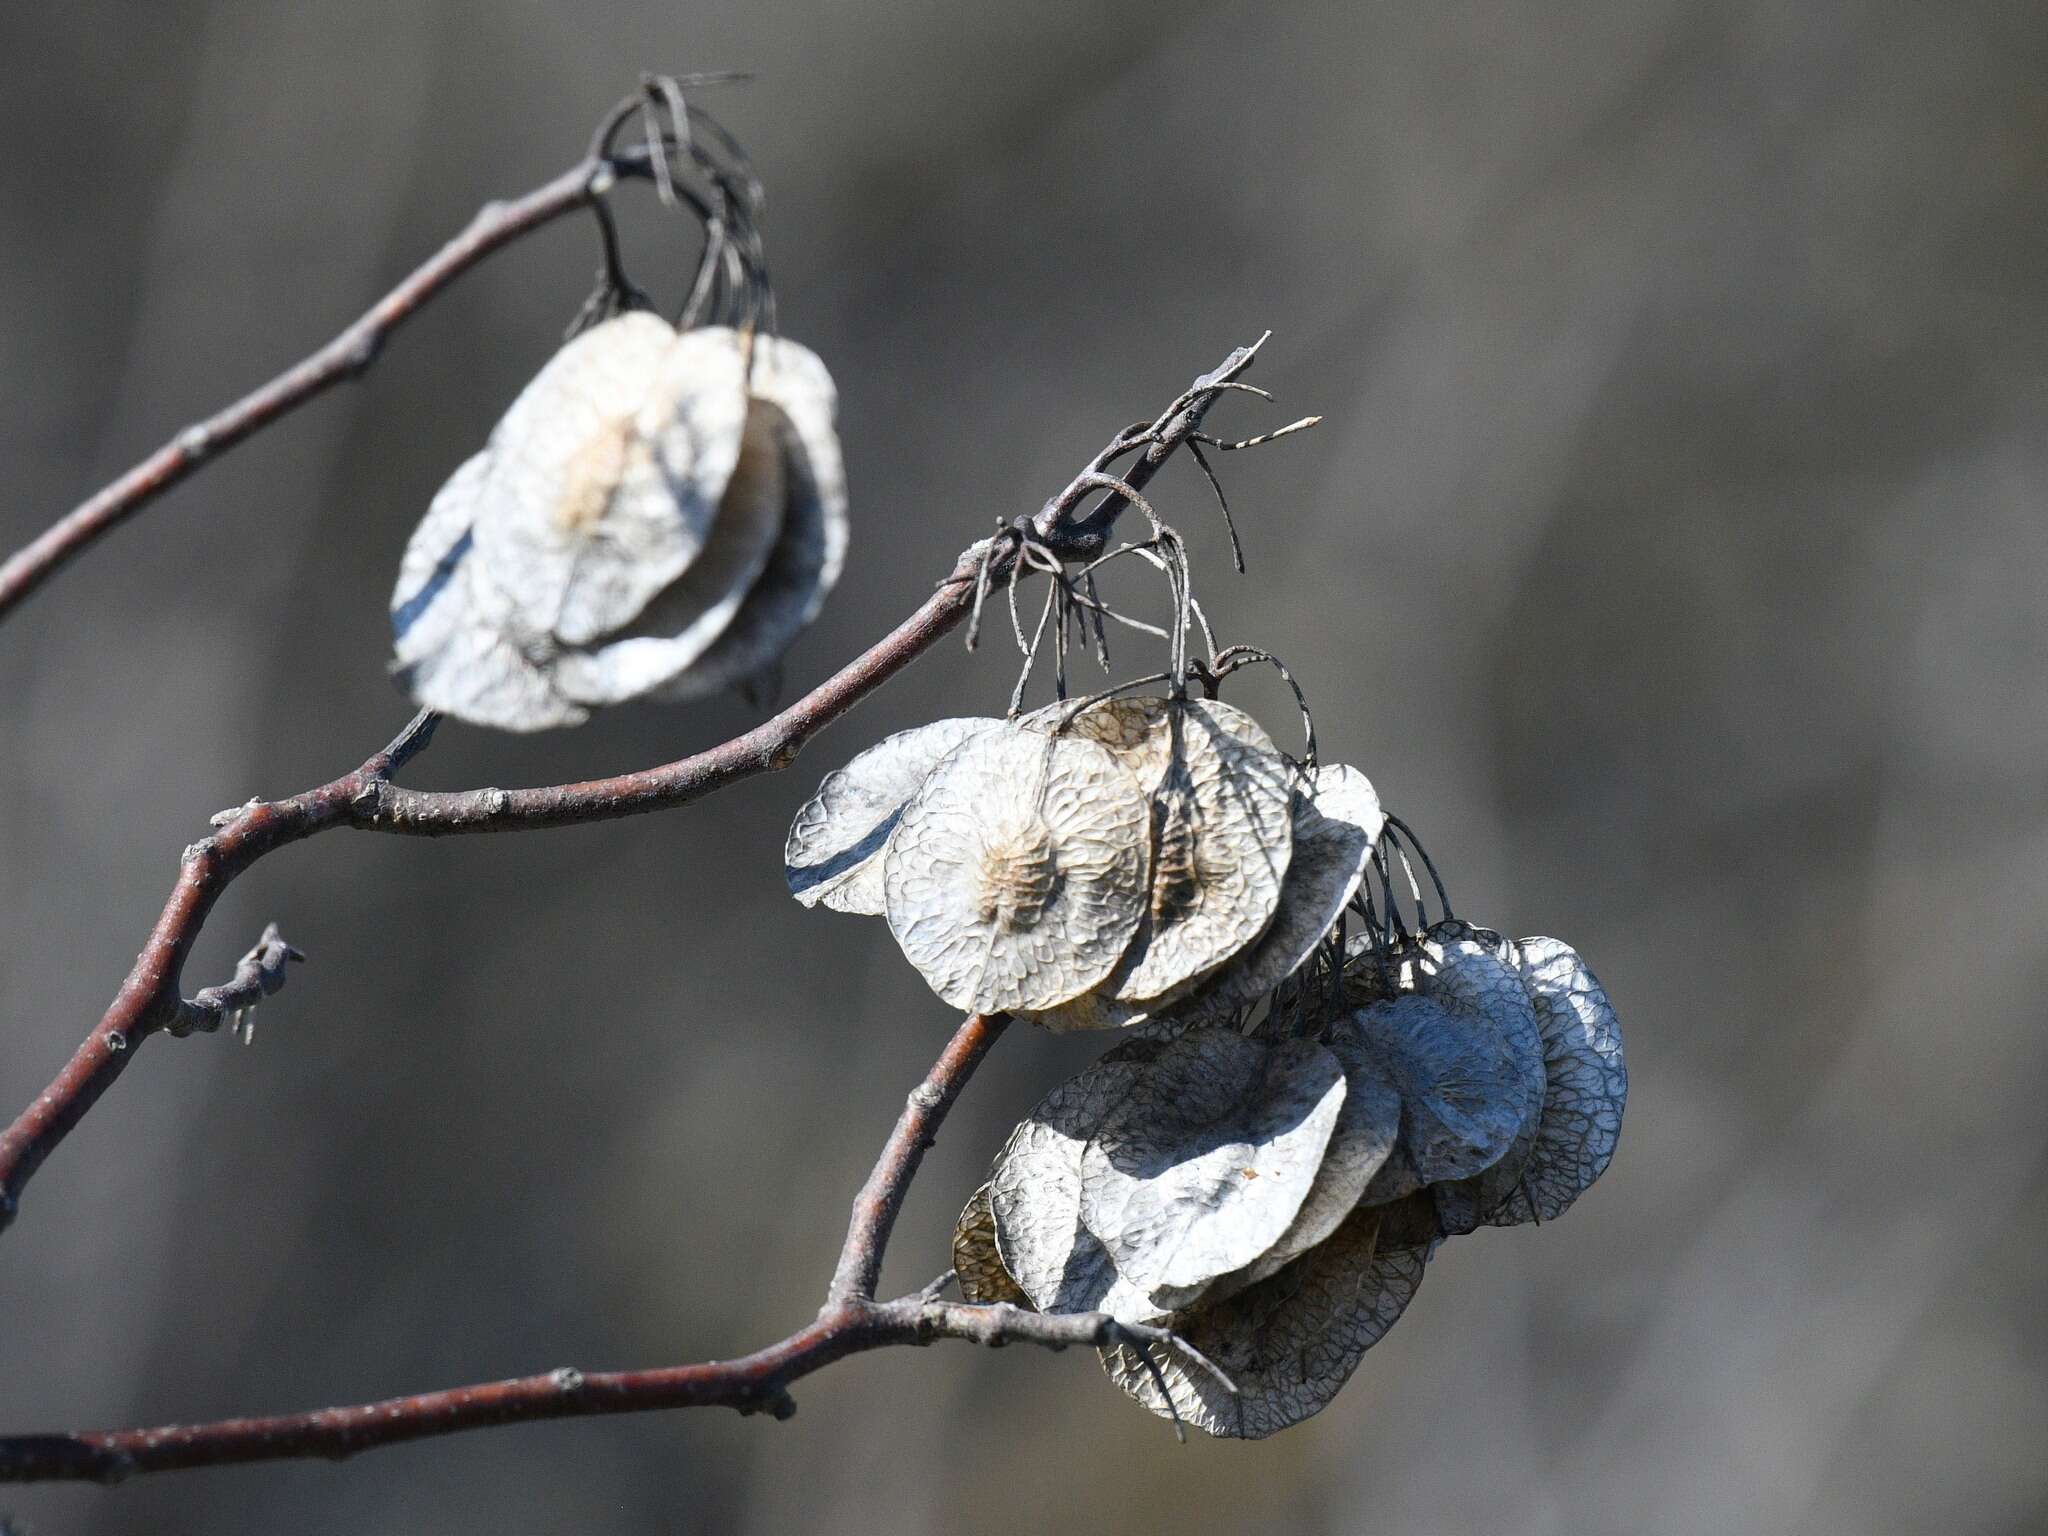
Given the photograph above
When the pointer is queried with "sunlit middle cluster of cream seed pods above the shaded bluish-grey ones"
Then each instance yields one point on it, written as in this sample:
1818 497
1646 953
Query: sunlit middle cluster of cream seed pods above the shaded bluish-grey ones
1091 865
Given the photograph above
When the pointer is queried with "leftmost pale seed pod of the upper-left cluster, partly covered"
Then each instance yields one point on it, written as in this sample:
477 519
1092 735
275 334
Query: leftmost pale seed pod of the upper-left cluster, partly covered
450 624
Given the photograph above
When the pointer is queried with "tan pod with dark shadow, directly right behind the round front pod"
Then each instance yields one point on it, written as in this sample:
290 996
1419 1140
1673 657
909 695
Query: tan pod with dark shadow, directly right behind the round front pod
1222 812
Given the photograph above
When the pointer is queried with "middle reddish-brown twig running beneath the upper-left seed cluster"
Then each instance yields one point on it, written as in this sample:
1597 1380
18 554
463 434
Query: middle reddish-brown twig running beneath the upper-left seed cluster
370 802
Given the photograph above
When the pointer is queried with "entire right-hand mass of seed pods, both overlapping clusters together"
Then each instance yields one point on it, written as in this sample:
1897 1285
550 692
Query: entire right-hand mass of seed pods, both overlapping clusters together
1295 1117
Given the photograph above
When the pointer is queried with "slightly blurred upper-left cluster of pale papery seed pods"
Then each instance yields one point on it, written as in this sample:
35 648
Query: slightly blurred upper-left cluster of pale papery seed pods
656 517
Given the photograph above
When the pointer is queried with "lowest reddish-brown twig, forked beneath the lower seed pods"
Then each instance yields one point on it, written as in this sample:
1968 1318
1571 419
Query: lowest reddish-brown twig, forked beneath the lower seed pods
757 1383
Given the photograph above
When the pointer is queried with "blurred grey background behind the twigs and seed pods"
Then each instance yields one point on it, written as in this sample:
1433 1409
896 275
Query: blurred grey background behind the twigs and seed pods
1672 556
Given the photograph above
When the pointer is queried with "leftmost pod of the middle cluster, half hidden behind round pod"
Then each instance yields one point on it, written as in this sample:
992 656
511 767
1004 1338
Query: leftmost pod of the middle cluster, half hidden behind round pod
835 849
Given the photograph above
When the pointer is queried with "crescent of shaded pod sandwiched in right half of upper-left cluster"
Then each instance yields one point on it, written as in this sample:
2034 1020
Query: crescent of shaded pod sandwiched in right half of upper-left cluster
693 611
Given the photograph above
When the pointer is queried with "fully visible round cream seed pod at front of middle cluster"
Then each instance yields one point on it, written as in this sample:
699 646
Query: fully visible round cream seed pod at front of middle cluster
1019 871
